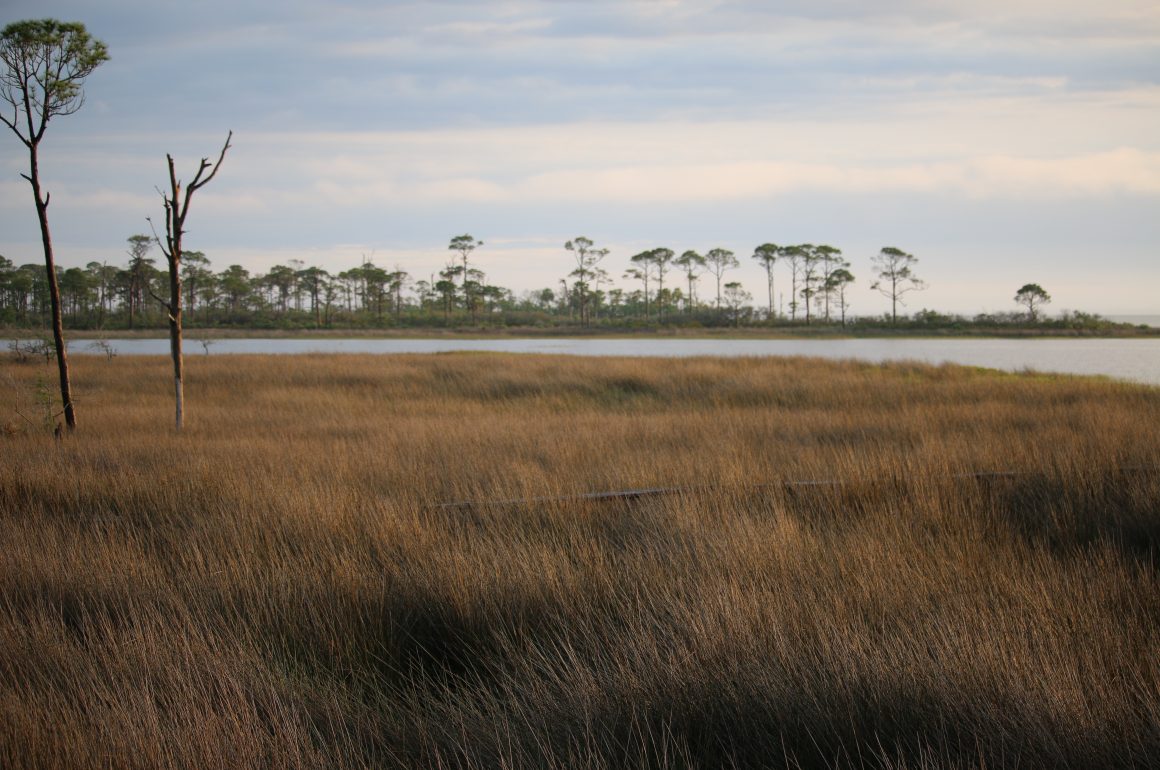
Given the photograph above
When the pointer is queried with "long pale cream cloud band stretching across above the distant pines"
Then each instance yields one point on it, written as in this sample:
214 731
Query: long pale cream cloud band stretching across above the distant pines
962 151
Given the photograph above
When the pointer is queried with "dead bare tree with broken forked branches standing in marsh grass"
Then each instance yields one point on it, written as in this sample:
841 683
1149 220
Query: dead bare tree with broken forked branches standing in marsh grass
177 209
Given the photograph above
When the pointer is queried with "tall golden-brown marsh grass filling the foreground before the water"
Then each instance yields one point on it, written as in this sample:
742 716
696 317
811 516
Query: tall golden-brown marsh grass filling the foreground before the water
973 582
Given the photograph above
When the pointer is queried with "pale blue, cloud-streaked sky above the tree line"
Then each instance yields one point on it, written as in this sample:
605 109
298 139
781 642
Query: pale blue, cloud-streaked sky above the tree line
1000 143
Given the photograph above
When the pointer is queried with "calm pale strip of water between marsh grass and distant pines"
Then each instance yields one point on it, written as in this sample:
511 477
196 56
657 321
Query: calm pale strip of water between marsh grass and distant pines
1132 360
